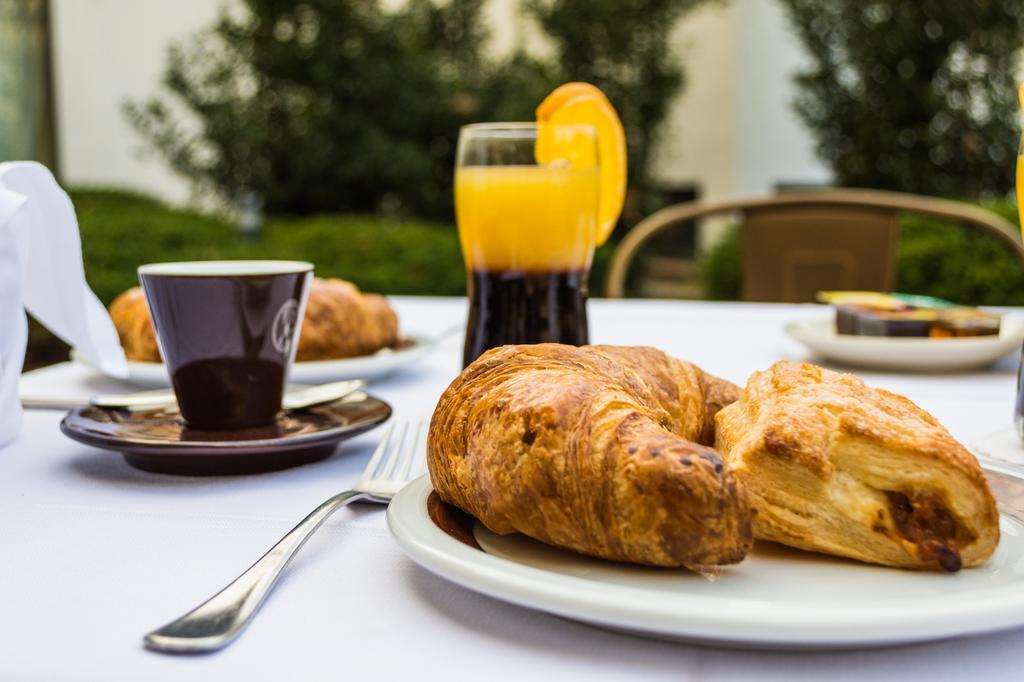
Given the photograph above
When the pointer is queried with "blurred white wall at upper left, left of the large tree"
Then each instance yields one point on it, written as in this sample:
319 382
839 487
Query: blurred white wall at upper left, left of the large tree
107 52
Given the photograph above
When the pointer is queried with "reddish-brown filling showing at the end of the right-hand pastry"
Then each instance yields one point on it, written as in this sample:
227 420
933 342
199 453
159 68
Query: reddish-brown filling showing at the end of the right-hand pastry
926 522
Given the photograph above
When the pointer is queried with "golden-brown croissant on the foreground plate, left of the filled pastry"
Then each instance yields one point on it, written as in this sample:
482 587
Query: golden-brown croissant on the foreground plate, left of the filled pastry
602 450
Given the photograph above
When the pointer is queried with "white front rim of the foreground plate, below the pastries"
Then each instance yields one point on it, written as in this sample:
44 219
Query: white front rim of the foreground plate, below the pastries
762 623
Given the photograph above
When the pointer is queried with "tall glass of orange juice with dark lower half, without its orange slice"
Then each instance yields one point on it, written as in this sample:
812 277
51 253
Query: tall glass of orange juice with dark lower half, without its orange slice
528 233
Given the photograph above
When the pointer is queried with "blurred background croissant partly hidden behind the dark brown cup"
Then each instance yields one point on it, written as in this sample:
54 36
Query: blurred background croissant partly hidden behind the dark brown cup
340 322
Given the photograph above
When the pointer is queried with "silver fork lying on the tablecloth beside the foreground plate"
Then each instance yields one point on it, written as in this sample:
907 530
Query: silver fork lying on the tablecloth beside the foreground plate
220 620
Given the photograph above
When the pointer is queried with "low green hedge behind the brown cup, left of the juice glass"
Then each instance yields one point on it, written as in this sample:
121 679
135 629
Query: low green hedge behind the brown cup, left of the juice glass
120 232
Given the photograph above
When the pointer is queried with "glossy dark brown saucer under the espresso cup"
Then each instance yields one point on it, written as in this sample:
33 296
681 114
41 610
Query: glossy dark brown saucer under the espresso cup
159 441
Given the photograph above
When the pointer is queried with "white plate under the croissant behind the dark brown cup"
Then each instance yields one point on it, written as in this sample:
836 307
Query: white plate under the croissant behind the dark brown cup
367 368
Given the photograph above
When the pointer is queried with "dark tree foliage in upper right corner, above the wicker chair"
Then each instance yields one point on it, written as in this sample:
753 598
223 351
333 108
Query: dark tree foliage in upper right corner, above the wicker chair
913 96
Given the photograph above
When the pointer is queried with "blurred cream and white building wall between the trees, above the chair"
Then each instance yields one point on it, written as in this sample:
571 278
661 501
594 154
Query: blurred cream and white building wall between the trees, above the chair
734 132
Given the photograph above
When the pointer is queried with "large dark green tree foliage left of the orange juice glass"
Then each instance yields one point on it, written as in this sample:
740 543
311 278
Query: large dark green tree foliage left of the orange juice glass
320 107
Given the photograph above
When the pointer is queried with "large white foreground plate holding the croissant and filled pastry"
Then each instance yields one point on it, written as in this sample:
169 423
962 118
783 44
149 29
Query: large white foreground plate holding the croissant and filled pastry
777 599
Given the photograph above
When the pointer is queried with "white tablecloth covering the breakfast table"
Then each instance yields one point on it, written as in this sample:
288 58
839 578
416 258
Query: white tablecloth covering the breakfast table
95 553
